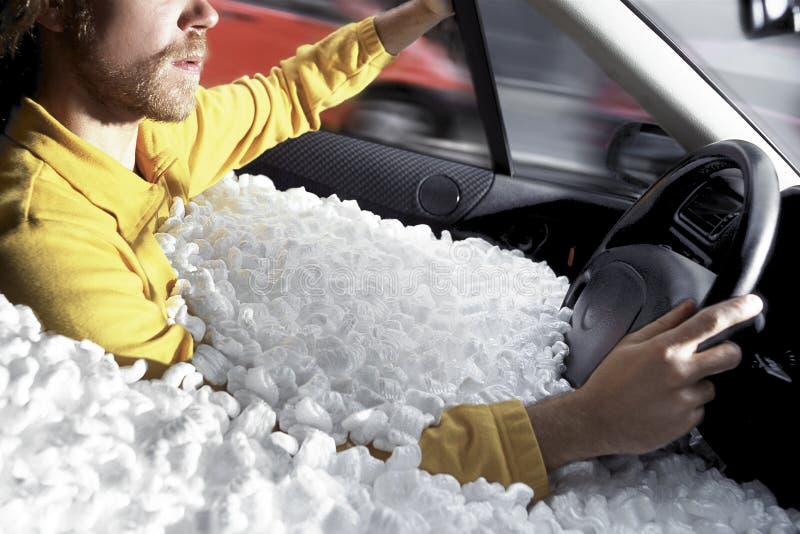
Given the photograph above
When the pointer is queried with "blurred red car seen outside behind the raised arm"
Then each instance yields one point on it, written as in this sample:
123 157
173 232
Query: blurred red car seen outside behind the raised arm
254 36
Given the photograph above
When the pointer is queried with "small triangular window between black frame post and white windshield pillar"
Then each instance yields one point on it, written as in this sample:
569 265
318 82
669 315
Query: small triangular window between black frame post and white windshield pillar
560 110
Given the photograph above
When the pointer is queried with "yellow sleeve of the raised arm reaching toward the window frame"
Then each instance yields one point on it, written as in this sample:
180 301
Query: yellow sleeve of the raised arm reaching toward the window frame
234 123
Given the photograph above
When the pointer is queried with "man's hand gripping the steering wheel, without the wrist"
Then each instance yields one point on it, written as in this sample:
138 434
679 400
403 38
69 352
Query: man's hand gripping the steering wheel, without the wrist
659 378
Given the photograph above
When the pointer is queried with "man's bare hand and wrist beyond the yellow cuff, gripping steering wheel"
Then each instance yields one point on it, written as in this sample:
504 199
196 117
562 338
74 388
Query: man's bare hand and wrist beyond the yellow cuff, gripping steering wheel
650 390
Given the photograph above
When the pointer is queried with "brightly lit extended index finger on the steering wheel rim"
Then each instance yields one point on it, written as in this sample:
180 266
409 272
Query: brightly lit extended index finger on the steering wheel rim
714 319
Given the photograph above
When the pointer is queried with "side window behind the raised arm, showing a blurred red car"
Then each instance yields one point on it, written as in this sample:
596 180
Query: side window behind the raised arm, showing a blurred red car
423 101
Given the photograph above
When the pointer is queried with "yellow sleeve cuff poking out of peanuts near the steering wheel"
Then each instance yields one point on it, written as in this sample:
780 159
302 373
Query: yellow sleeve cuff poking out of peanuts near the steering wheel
494 441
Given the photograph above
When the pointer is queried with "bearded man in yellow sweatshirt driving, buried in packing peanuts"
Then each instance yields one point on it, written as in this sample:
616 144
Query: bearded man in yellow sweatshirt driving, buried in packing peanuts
106 125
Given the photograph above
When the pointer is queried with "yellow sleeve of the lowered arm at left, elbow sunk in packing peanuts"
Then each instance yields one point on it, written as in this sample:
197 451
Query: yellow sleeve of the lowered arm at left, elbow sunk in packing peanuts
81 287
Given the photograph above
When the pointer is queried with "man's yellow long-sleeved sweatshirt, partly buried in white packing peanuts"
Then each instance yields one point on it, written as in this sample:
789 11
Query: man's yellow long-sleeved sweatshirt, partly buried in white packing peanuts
76 229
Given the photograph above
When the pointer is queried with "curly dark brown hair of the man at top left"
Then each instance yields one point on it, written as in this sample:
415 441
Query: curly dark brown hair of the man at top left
20 52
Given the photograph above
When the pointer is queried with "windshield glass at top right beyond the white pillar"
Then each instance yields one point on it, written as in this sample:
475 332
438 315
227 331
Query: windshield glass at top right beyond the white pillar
760 75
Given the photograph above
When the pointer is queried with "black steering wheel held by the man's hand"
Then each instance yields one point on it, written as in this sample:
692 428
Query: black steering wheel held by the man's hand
703 231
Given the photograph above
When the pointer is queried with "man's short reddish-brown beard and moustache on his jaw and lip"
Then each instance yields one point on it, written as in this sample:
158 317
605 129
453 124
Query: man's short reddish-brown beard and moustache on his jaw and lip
151 88
